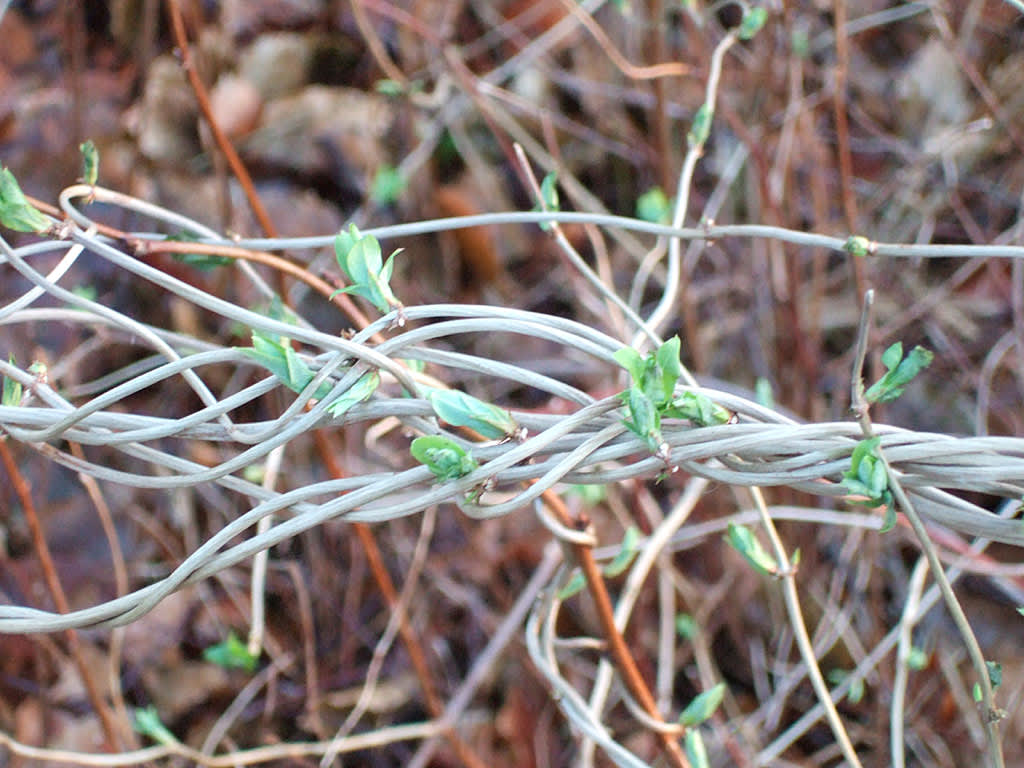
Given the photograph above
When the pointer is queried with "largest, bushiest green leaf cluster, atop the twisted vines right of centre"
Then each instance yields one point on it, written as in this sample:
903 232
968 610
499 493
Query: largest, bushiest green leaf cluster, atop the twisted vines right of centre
653 396
